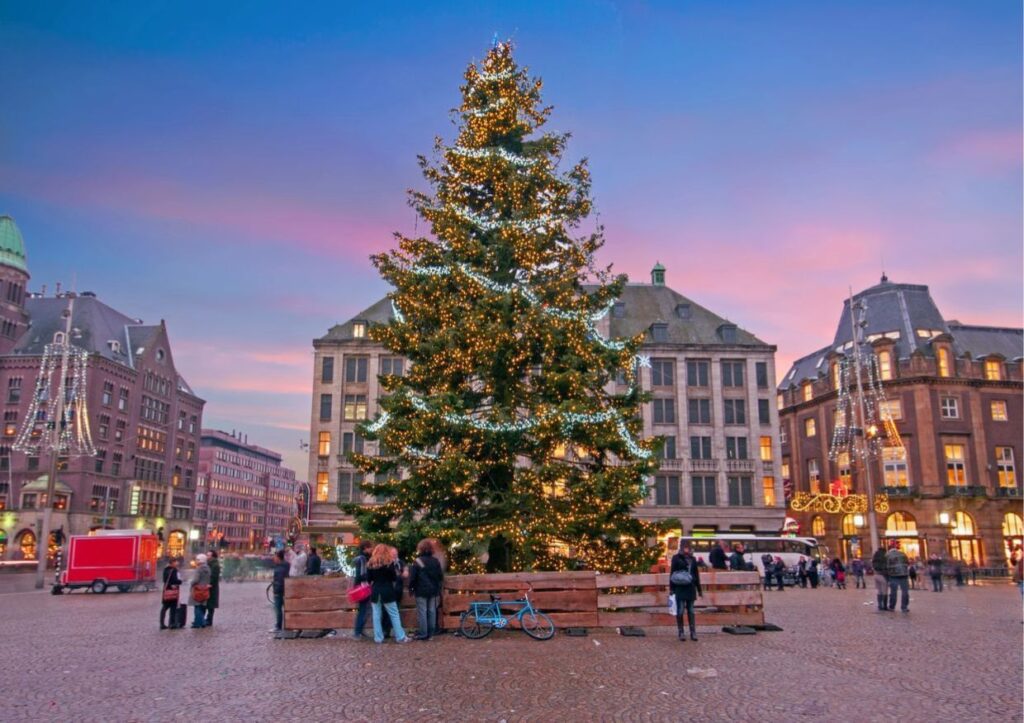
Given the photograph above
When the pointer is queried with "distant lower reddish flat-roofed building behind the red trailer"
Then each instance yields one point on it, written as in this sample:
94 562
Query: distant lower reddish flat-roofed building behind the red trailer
245 498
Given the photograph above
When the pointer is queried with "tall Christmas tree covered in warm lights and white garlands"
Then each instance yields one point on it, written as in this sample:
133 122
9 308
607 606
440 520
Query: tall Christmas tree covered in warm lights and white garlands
503 439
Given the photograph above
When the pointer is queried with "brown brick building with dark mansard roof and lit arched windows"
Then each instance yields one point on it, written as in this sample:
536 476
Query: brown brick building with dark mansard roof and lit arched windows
954 392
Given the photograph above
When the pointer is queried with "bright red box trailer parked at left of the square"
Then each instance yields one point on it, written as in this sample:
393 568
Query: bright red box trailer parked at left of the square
123 558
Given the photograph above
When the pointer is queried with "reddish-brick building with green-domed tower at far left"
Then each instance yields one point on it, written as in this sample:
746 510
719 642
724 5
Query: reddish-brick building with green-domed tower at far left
145 422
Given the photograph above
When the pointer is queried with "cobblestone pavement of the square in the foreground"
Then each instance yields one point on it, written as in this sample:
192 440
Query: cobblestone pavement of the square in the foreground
957 656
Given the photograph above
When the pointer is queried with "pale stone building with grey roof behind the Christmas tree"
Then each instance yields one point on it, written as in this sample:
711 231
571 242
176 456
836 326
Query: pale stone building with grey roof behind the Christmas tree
712 386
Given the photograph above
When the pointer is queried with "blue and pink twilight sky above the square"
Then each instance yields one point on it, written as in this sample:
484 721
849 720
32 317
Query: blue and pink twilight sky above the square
230 167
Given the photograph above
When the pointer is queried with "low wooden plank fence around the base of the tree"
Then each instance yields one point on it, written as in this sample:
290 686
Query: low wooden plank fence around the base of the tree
573 600
